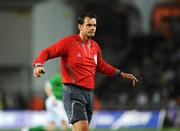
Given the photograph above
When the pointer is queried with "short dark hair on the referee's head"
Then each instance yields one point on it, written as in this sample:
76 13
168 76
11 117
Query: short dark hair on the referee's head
81 17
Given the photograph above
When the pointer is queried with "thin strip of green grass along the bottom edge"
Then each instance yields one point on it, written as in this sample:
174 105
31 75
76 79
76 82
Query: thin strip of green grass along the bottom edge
172 129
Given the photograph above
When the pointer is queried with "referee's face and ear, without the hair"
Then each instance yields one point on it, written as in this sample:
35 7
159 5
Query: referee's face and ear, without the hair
88 28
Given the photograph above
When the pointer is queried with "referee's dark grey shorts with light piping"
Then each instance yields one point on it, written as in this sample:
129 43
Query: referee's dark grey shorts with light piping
78 103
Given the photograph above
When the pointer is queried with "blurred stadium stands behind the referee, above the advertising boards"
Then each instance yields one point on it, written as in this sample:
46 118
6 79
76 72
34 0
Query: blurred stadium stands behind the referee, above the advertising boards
137 36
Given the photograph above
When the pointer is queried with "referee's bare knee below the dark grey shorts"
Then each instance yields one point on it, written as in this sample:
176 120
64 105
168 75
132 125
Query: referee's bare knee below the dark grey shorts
81 125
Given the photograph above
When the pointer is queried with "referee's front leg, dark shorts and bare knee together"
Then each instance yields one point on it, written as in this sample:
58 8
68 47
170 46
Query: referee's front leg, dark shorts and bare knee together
75 102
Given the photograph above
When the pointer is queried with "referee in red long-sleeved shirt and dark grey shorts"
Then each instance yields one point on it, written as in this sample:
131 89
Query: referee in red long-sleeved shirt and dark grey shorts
80 59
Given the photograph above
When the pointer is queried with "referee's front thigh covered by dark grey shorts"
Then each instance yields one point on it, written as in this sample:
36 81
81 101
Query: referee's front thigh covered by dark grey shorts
74 104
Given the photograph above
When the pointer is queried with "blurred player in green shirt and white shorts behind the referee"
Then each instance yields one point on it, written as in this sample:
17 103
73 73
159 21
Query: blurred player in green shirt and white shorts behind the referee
56 115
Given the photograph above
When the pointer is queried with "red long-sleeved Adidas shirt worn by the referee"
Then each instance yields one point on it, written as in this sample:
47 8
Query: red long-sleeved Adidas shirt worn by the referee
79 60
